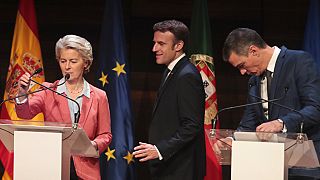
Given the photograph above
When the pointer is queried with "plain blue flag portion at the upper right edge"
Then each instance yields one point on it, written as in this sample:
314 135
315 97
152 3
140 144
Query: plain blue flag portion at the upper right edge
312 31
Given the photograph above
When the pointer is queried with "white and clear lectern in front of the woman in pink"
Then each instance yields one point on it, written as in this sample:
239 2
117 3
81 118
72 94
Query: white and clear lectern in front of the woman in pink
42 150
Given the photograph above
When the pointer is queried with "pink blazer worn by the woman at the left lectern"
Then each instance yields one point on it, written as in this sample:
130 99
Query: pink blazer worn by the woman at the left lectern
94 119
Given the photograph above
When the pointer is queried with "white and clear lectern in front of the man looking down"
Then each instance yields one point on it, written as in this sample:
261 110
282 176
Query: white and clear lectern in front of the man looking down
263 156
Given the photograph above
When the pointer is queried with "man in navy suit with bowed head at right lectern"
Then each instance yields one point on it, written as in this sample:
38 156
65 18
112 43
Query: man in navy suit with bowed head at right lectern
295 79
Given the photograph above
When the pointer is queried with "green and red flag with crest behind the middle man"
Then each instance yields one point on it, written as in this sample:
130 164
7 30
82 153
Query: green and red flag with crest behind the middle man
201 55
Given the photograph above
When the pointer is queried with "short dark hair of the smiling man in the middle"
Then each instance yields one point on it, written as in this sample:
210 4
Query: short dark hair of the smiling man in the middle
177 28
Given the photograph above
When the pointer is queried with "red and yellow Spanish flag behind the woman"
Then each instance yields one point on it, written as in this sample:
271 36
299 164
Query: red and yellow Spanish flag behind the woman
25 57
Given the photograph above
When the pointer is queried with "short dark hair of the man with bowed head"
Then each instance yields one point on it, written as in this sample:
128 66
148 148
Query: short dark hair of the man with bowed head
239 40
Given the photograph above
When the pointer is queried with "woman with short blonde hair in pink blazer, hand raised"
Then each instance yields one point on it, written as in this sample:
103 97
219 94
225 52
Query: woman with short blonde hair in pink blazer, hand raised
74 56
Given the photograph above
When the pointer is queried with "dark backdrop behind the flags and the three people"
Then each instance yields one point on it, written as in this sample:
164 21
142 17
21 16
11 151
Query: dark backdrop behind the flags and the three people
279 22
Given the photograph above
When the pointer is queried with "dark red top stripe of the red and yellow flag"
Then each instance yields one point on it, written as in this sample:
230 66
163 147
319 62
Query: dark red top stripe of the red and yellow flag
27 11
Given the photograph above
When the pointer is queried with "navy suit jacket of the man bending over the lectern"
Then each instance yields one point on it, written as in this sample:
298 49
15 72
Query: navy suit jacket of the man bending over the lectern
296 80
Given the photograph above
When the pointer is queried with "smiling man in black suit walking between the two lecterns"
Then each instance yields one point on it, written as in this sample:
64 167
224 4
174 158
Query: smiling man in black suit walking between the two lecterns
176 148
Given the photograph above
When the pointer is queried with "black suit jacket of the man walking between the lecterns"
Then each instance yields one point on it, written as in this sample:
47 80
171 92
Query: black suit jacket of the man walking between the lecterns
177 125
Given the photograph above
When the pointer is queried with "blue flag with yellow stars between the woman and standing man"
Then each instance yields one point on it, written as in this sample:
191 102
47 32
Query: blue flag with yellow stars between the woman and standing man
117 162
